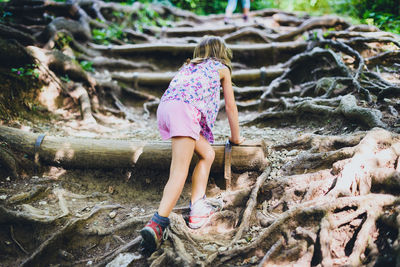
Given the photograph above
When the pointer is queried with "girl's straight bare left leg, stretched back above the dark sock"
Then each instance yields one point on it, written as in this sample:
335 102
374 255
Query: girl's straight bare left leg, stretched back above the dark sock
182 153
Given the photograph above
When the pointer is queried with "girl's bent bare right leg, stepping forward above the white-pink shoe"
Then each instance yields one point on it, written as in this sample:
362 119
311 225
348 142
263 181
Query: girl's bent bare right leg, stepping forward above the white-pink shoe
202 170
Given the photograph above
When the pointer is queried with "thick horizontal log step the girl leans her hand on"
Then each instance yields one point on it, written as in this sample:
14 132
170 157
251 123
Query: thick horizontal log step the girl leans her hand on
72 152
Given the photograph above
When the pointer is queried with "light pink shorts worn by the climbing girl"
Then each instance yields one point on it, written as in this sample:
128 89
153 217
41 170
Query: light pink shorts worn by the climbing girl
177 118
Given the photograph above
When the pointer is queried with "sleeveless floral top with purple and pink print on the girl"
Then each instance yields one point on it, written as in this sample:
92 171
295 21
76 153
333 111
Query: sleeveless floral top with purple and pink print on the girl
198 85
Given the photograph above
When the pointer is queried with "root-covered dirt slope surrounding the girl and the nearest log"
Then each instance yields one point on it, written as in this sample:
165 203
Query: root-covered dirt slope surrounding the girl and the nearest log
321 94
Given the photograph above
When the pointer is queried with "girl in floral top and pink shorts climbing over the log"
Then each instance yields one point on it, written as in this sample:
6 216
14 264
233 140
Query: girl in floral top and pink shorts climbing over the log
186 114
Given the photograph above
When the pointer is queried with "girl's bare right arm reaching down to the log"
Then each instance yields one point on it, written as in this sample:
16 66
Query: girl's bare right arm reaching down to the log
230 106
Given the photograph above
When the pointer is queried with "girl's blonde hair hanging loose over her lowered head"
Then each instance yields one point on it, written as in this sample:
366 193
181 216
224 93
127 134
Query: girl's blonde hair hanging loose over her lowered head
212 47
